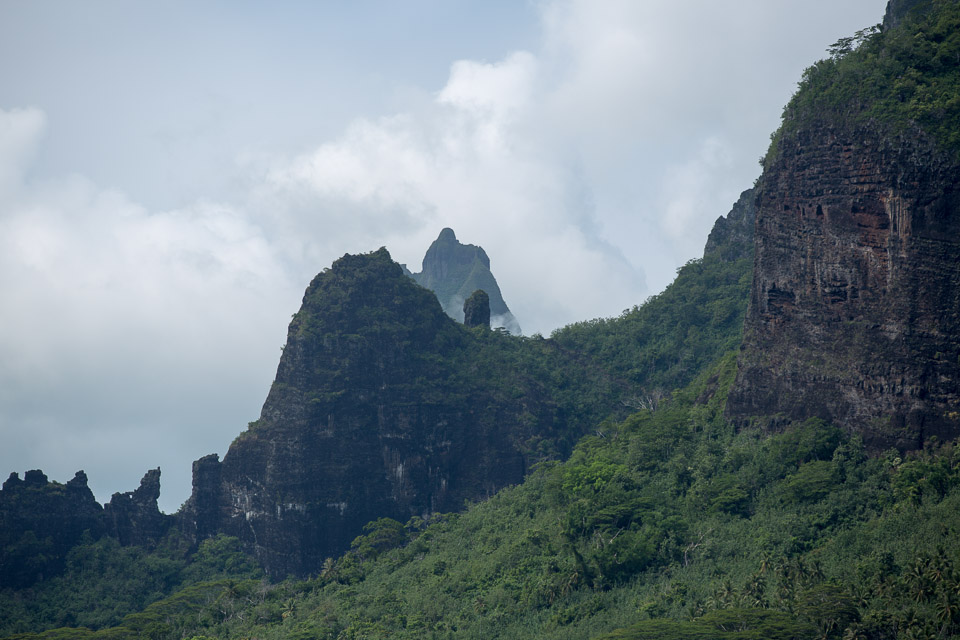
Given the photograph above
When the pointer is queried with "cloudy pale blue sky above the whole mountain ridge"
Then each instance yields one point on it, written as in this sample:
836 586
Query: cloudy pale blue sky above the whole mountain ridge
173 174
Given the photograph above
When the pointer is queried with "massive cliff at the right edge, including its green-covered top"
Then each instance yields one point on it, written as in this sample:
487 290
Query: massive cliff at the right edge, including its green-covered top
855 306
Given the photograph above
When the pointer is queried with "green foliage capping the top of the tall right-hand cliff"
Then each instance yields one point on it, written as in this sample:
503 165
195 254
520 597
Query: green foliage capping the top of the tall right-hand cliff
898 77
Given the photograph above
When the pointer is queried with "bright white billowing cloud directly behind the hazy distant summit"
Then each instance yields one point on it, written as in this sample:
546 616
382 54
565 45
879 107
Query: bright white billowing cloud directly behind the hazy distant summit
468 161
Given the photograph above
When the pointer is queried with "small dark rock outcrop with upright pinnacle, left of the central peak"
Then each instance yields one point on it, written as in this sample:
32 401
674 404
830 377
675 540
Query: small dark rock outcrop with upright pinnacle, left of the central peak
134 518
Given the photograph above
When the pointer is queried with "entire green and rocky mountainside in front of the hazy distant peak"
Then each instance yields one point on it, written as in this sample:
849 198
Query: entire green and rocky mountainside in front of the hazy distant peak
717 462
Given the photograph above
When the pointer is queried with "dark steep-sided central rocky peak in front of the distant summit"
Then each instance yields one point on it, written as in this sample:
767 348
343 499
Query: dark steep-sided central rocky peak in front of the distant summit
382 407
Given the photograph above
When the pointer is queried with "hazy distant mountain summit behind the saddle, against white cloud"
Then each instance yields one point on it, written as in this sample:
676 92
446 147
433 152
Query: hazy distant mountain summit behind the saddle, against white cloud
453 271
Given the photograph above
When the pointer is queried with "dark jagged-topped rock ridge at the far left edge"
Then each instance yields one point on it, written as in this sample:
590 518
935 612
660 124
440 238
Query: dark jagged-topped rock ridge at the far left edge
40 521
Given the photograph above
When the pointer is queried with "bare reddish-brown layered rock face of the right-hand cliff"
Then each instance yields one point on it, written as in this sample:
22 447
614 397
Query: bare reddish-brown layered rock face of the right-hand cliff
855 308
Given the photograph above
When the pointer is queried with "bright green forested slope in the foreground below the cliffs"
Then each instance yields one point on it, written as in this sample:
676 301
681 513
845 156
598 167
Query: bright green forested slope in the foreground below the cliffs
667 524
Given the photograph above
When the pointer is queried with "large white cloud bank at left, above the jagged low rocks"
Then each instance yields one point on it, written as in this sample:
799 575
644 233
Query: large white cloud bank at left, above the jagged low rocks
120 321
